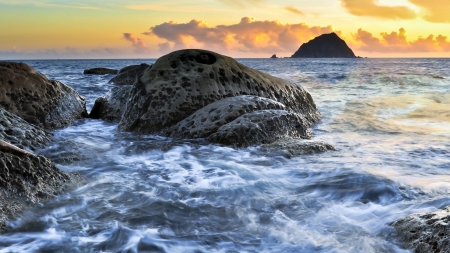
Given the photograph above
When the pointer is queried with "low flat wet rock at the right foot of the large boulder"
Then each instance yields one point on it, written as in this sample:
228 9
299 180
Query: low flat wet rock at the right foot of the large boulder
289 147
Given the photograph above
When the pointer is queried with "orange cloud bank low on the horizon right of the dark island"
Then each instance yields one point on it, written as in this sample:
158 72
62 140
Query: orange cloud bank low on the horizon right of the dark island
396 42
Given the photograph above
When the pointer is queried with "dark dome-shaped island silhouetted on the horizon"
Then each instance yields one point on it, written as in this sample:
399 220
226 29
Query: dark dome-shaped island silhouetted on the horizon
325 46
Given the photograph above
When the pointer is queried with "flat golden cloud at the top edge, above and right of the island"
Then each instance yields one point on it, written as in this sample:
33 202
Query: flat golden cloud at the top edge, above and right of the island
370 8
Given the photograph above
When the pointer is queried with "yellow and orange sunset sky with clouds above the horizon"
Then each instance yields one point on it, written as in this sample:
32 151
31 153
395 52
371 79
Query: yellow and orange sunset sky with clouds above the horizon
114 29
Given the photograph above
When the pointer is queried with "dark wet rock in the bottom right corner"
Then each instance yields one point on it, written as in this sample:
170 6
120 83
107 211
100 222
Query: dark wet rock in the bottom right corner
425 233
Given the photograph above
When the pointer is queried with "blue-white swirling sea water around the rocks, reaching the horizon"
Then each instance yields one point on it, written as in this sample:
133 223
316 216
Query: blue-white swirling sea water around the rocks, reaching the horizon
388 118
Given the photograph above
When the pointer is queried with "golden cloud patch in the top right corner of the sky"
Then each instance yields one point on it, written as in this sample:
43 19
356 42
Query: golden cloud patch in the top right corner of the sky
436 11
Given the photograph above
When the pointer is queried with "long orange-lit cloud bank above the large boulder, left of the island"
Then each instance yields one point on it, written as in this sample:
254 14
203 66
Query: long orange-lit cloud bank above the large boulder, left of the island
246 36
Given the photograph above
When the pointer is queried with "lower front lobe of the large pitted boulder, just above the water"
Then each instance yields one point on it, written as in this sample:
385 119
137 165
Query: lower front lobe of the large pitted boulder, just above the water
262 127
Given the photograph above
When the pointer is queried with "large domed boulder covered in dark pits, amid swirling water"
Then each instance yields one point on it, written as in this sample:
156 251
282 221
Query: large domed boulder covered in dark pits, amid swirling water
201 94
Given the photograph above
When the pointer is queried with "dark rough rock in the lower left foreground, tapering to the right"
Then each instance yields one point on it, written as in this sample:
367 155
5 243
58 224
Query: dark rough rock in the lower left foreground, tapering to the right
27 180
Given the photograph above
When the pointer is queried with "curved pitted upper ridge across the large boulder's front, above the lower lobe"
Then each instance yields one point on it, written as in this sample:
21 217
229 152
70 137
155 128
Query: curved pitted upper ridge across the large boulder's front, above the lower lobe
207 120
